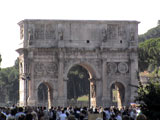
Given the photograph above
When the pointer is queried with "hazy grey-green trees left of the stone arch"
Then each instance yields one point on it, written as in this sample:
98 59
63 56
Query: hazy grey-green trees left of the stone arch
9 84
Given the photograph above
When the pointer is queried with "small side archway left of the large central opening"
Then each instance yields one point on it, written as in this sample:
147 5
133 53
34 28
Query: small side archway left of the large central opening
44 94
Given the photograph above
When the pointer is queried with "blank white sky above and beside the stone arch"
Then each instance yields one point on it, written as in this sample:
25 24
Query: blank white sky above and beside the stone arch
13 11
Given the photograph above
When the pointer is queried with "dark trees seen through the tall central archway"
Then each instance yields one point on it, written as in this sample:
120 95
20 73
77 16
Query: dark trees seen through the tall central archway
78 83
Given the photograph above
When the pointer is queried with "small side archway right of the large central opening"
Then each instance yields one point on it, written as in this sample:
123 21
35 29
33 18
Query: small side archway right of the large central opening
117 94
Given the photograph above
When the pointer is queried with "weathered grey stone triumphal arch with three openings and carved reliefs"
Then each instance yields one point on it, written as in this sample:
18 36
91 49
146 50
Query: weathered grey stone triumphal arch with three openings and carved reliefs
50 48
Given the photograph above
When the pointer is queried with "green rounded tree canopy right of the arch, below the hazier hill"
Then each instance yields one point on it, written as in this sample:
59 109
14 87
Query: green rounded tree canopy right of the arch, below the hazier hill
149 54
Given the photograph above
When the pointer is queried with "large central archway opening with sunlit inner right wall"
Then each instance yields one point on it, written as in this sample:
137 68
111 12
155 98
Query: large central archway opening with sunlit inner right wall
81 87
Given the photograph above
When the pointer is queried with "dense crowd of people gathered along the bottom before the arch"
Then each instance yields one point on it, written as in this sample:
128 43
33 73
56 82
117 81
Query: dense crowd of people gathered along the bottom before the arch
70 113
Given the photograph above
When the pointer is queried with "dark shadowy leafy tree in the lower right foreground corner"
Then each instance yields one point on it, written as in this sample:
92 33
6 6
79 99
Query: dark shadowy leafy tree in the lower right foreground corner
149 99
